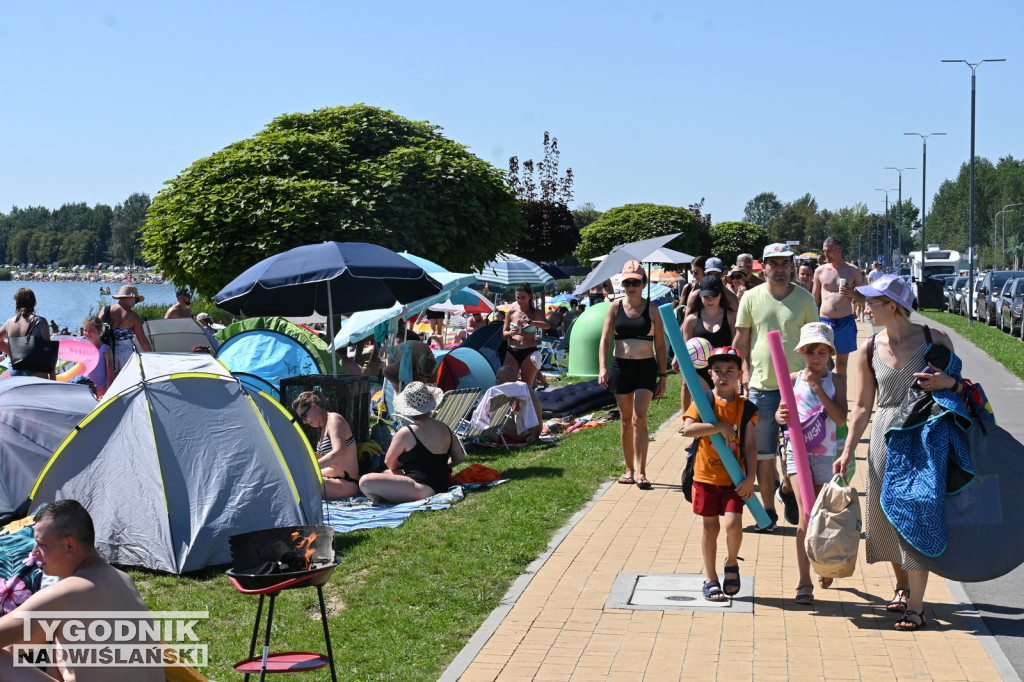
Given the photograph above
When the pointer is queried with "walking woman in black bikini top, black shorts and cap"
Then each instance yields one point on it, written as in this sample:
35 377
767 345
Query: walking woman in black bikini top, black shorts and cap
636 374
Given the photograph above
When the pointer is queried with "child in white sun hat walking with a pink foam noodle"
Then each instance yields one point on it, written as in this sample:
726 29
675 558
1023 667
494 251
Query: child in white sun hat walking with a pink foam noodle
821 397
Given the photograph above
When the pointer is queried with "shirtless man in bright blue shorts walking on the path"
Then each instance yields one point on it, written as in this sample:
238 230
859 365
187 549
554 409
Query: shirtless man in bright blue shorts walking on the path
834 292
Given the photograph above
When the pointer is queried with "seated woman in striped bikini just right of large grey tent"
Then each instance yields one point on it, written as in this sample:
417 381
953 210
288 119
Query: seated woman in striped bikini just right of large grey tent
336 452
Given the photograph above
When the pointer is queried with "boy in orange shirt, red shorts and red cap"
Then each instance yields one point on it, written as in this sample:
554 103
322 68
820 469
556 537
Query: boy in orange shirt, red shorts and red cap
714 492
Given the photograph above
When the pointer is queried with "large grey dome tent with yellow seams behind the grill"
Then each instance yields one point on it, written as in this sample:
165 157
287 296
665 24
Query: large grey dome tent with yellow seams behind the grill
178 457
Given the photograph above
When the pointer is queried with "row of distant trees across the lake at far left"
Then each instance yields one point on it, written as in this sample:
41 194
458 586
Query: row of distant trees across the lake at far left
74 234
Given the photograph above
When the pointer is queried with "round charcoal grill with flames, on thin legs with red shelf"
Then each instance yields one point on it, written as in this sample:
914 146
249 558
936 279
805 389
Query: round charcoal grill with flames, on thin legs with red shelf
267 563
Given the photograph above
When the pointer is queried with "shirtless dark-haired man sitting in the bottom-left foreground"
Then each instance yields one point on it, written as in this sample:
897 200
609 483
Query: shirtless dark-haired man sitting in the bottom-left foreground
65 549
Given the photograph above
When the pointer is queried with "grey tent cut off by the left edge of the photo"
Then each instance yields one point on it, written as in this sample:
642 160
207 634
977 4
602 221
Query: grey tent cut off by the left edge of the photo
36 415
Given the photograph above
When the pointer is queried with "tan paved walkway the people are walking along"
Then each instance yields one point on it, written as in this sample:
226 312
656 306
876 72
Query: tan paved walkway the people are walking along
553 625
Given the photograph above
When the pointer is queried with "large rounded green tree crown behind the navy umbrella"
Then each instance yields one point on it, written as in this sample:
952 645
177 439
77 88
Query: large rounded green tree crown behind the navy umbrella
349 174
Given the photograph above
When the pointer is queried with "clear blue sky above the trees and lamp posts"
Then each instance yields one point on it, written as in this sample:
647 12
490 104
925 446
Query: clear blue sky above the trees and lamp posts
662 103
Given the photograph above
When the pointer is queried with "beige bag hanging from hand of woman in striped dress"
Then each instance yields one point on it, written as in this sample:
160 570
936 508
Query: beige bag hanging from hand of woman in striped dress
834 532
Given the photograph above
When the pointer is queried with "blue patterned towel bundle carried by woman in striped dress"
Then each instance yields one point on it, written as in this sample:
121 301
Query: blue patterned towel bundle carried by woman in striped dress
927 459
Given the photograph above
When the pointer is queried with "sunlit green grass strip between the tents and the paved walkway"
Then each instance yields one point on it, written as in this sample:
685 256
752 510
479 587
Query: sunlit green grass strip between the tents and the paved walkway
406 601
